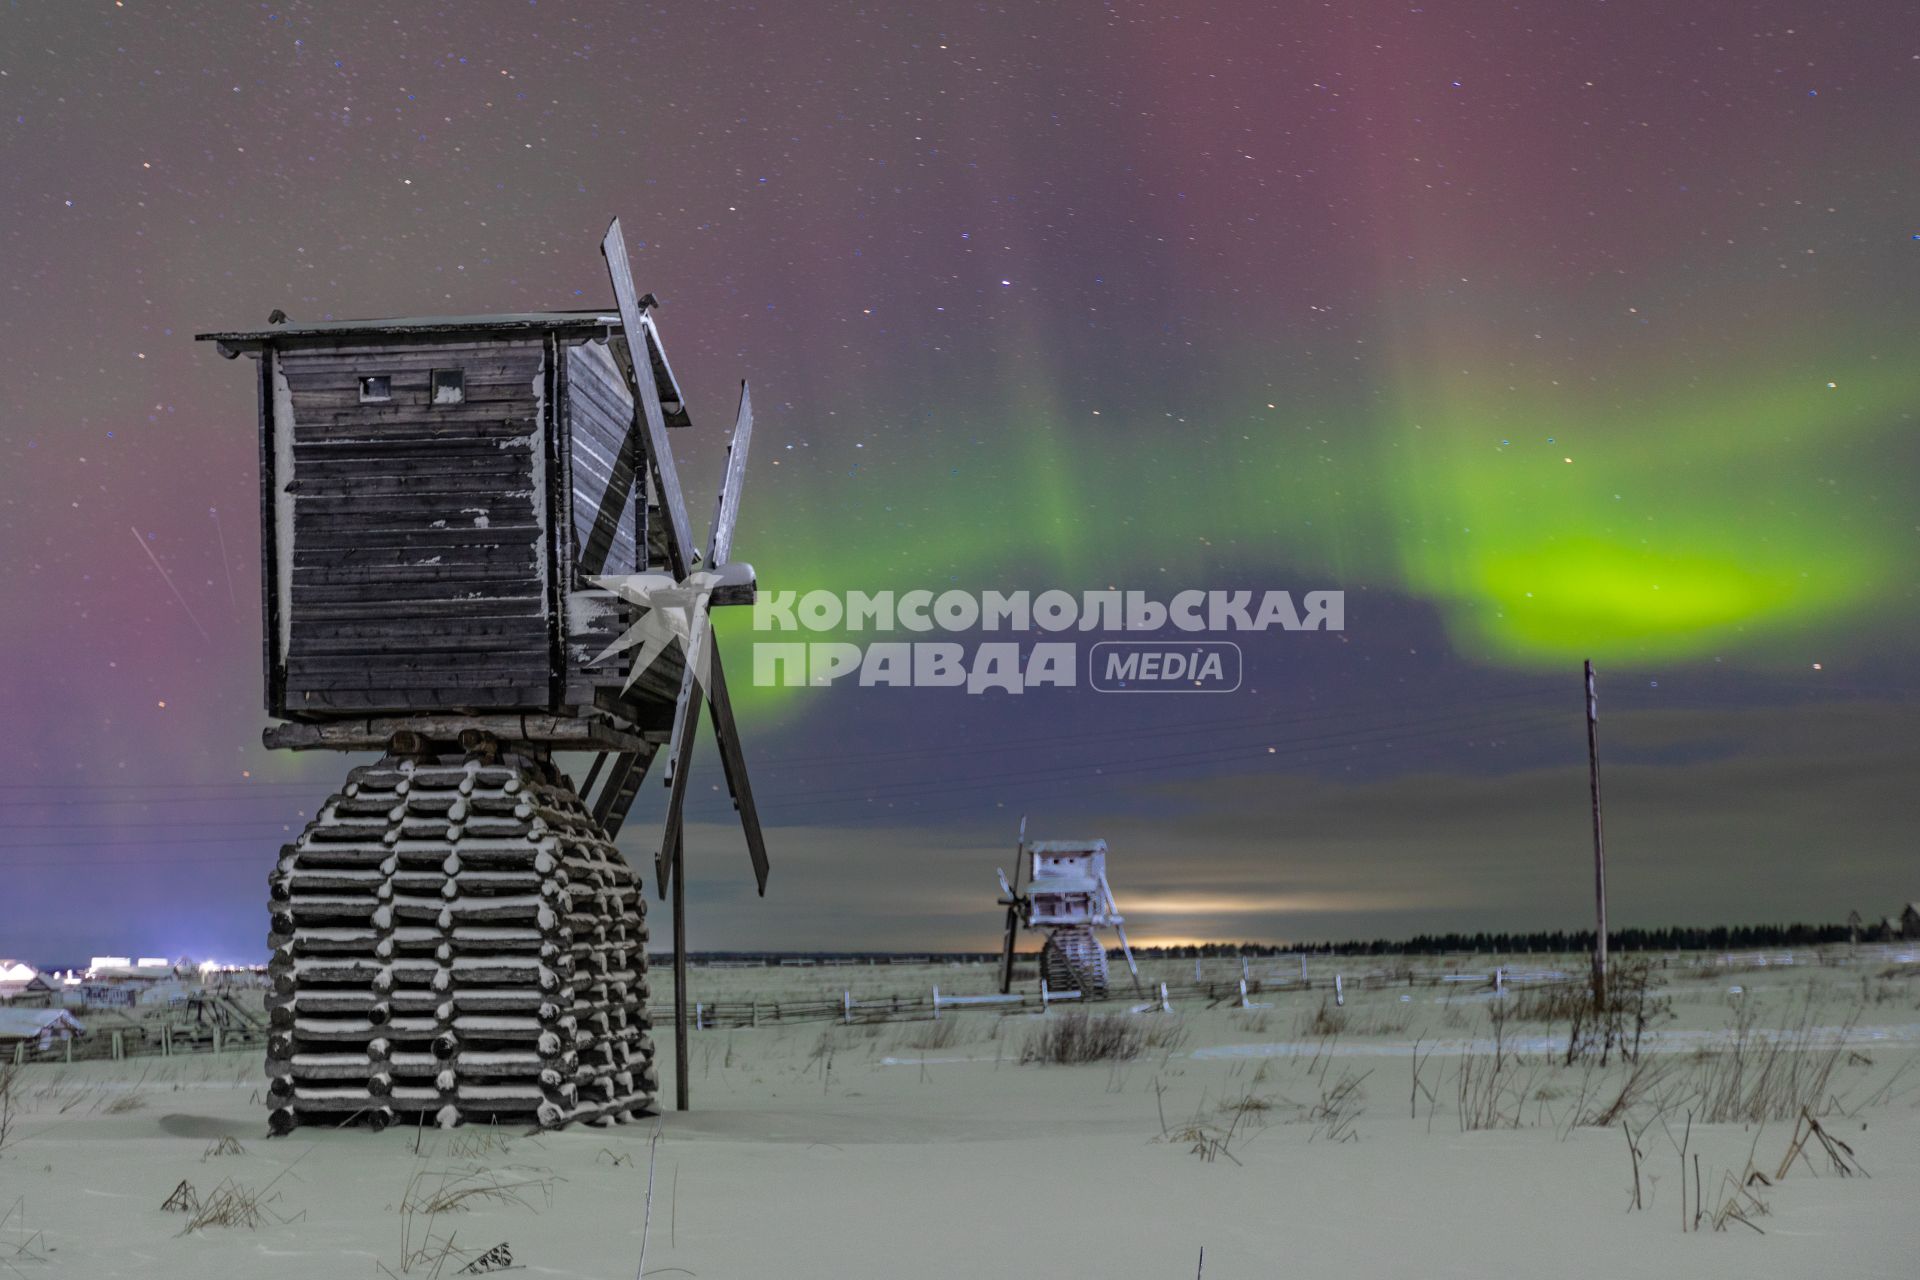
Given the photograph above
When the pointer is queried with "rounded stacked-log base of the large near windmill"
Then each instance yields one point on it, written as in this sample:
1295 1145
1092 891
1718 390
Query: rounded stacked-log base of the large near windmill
458 941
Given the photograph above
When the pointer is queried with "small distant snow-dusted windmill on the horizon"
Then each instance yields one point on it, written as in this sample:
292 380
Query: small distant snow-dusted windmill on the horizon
1068 899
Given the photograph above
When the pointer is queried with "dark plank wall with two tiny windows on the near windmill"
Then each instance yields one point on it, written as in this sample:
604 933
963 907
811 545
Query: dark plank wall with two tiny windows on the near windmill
418 565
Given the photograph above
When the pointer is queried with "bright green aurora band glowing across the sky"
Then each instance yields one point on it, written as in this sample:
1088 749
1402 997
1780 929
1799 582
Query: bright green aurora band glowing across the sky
1545 529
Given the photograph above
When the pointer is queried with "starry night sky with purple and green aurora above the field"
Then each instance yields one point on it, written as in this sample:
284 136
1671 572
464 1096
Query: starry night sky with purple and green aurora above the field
1547 333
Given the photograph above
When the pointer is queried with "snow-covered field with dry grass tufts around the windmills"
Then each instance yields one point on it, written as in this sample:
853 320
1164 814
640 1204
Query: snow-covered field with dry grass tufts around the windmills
1428 1131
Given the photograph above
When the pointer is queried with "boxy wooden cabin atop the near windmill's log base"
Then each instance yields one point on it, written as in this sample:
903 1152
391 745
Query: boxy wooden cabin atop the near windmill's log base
437 498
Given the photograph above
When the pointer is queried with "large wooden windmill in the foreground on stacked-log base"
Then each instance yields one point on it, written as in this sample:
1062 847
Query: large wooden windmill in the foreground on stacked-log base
477 556
